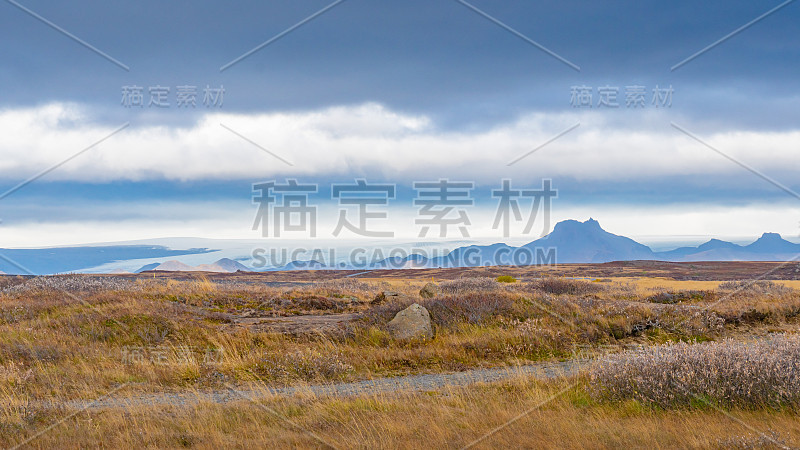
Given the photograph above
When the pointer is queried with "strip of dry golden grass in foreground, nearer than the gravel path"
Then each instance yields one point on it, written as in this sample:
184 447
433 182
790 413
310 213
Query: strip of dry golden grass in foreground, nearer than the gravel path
450 419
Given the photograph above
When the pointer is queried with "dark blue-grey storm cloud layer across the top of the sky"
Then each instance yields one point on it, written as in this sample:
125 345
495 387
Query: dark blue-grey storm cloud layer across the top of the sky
434 57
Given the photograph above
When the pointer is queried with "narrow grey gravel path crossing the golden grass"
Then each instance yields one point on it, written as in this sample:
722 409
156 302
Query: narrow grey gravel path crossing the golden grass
409 383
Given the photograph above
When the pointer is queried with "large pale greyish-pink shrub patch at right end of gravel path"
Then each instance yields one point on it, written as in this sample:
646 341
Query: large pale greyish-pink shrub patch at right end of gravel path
732 374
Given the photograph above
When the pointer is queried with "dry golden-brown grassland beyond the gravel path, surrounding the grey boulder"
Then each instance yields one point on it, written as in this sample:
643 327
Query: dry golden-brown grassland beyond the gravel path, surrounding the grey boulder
82 344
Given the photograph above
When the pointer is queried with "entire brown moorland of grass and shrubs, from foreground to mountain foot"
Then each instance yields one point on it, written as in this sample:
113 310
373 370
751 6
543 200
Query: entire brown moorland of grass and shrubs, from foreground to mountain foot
659 356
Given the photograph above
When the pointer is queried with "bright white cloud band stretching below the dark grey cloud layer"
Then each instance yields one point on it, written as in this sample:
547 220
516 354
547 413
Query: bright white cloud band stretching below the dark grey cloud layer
372 140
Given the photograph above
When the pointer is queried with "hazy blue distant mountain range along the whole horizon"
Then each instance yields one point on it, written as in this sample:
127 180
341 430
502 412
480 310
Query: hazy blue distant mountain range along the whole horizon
570 241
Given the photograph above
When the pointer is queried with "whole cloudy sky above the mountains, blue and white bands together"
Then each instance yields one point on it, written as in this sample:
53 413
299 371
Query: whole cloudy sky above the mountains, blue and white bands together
397 92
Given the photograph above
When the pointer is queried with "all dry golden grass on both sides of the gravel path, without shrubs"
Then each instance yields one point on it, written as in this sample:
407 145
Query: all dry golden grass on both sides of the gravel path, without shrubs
56 347
